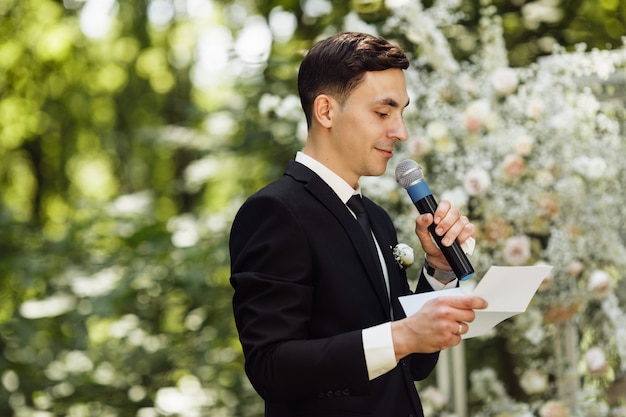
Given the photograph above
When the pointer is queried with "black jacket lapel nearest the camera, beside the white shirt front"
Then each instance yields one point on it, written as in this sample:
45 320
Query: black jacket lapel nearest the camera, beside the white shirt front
327 197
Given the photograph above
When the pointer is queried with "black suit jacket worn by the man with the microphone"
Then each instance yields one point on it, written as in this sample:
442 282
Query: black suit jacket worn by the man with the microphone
304 290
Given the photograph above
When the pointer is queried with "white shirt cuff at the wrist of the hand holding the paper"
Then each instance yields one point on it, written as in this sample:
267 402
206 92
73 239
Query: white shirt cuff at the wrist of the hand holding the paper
380 357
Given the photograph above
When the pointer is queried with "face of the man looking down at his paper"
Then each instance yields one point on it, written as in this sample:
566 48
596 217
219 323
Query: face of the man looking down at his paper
367 126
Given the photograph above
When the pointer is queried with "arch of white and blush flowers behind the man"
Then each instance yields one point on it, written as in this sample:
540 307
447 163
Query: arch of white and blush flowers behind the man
535 156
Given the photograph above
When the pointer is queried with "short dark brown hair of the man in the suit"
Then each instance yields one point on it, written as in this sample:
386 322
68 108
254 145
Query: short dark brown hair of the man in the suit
337 65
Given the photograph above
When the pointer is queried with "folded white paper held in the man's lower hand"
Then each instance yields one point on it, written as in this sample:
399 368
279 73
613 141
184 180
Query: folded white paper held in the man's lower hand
507 289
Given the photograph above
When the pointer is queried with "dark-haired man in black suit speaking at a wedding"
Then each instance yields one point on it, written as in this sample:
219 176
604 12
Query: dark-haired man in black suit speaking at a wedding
317 311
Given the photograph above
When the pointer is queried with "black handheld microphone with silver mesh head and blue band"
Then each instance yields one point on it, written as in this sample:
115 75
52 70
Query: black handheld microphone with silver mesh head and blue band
409 175
